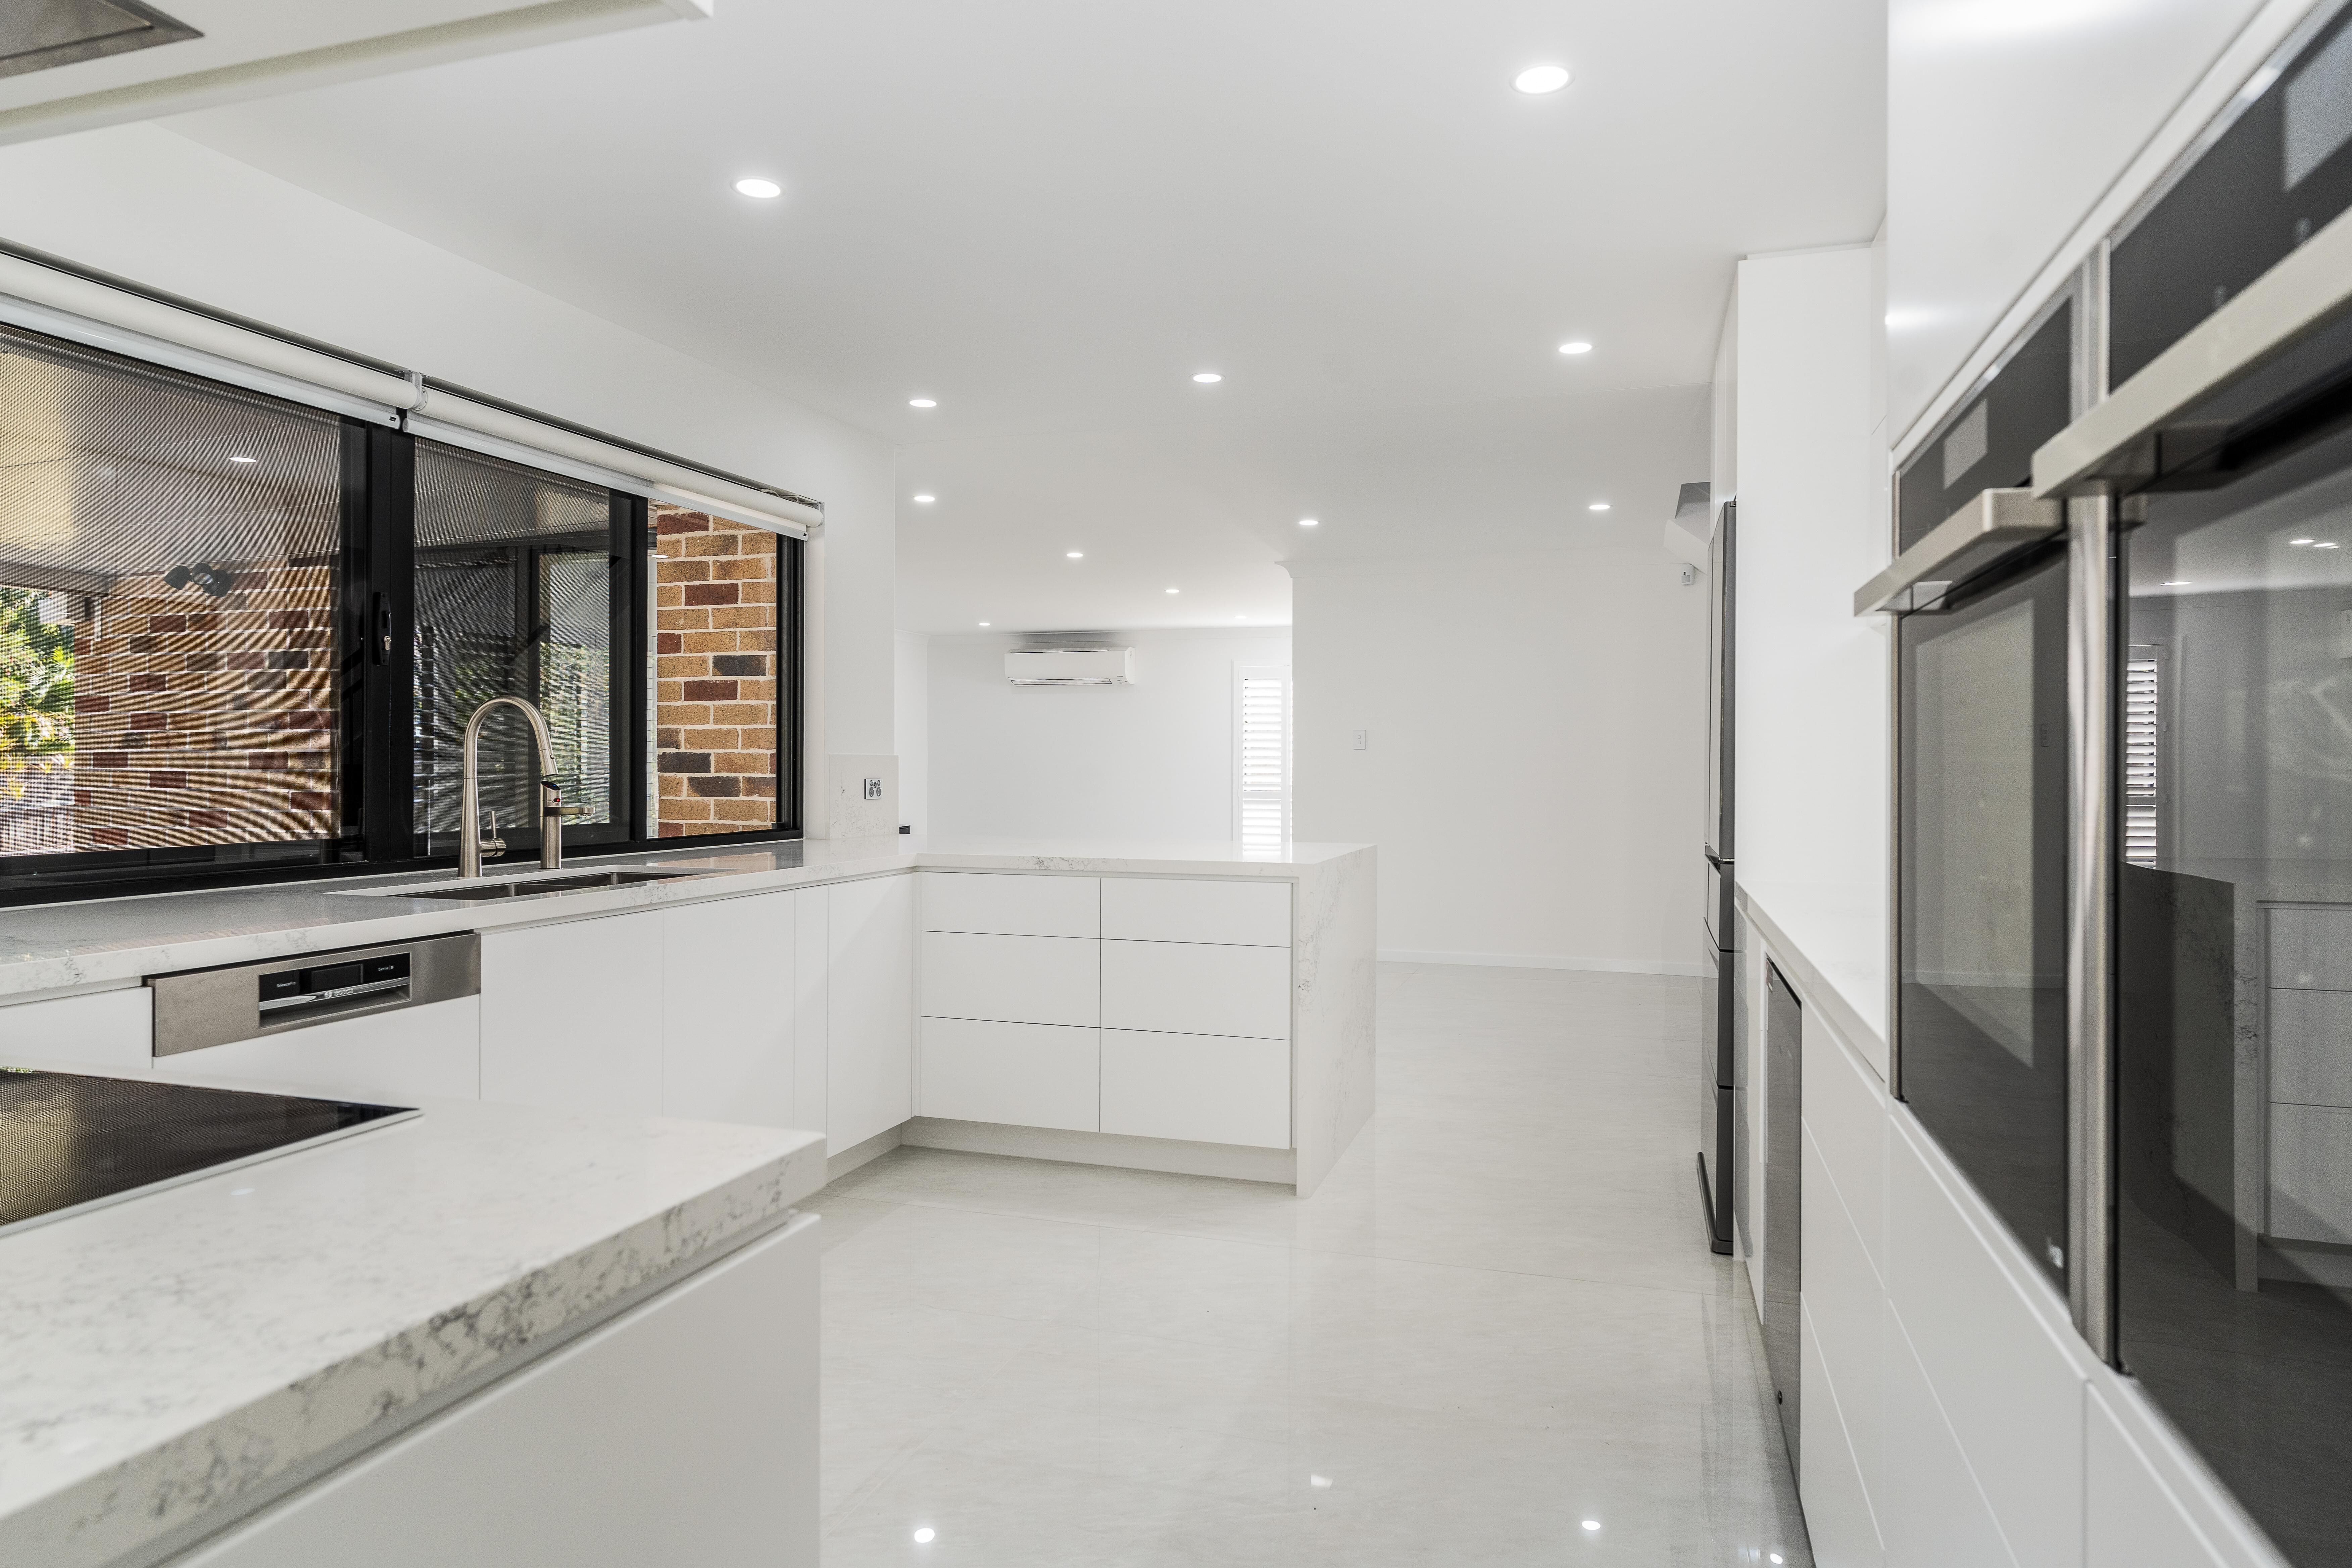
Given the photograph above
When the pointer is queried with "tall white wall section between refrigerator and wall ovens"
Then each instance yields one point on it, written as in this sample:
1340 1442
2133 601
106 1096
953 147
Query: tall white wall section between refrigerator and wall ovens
1812 676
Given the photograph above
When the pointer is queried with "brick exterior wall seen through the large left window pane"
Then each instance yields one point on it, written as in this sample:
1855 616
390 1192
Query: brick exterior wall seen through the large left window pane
208 721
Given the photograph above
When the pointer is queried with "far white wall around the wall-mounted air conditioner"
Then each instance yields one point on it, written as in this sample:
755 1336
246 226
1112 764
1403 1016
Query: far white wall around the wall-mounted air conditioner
1095 763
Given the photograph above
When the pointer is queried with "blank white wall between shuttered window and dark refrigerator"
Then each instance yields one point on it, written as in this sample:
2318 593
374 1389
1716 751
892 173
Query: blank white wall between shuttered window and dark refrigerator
1535 763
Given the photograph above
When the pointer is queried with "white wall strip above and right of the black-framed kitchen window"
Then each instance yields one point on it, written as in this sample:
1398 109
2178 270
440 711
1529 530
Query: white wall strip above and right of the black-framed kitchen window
173 215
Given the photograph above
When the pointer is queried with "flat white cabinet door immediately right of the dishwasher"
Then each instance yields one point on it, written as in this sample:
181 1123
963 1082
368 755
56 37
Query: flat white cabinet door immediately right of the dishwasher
573 1014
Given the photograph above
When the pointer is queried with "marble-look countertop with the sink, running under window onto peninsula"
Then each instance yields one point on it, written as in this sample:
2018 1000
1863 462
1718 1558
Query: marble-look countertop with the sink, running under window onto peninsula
65 946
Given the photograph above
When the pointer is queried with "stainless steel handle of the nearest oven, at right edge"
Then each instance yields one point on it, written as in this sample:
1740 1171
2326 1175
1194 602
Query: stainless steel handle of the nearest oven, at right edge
2308 288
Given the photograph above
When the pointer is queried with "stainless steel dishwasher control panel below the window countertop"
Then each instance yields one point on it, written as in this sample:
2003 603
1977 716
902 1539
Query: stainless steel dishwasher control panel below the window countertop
215 1007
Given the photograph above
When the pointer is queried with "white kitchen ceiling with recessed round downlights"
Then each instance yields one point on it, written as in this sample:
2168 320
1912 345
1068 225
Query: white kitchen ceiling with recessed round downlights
1048 217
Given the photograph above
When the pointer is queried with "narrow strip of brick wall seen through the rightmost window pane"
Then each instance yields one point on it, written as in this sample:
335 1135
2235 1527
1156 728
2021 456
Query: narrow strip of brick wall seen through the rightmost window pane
716 676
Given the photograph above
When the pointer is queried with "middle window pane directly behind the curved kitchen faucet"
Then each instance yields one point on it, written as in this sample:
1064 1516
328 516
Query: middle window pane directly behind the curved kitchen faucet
514 598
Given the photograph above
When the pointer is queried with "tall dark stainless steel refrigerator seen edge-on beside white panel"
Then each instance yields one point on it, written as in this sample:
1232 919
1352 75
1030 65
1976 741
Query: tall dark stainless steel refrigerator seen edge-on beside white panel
1718 1017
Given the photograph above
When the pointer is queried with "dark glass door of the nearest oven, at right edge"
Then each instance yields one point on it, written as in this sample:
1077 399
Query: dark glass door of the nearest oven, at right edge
2236 965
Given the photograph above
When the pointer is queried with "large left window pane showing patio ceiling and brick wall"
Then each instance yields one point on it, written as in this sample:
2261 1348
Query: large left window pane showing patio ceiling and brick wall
168 634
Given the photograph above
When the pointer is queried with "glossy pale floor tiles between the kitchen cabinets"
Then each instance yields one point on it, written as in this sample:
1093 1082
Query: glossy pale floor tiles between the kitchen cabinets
1497 1322
